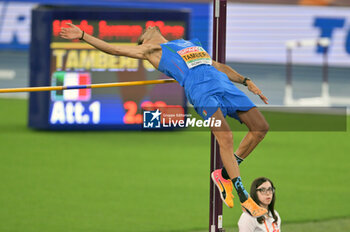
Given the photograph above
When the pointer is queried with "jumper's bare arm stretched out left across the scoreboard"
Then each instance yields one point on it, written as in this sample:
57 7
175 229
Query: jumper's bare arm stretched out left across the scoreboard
139 52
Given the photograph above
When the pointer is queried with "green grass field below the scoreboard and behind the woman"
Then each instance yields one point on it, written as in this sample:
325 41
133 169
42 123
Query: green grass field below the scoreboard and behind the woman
159 181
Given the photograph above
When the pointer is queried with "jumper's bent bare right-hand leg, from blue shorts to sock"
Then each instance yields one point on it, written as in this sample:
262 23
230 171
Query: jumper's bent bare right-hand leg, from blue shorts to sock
258 128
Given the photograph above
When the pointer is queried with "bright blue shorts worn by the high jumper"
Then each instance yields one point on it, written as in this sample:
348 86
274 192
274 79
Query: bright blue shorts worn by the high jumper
209 89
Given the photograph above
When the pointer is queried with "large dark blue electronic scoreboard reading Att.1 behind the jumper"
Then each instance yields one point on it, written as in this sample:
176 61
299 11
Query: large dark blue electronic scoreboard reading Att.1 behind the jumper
58 62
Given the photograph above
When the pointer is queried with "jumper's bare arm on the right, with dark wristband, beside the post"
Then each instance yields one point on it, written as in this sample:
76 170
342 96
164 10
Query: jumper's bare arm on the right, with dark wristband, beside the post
238 78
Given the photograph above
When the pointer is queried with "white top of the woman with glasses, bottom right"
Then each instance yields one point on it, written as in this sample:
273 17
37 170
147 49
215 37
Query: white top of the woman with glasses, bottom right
247 223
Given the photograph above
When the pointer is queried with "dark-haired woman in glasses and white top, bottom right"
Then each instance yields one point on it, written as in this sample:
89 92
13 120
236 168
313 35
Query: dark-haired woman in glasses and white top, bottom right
262 192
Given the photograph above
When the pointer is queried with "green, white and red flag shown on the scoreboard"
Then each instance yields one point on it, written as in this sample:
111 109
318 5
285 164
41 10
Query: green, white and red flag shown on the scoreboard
62 78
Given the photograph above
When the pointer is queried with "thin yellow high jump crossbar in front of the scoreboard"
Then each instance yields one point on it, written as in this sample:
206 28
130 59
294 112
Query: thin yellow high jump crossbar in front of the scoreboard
91 86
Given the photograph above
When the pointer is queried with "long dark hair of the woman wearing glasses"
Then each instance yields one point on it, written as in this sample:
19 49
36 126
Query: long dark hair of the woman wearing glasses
253 193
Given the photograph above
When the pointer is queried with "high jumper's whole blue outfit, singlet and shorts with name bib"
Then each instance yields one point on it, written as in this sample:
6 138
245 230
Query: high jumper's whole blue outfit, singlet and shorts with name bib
206 88
